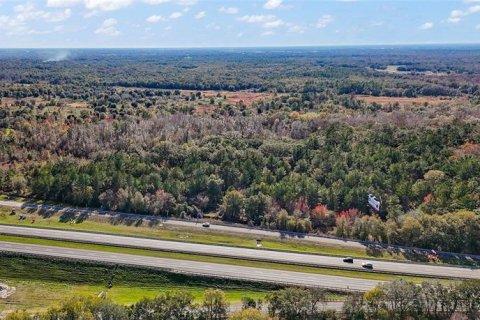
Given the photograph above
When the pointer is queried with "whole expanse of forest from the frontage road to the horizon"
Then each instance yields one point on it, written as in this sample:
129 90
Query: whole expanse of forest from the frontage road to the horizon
283 139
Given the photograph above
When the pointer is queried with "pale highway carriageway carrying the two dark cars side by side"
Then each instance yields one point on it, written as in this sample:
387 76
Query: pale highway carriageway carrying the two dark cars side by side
416 269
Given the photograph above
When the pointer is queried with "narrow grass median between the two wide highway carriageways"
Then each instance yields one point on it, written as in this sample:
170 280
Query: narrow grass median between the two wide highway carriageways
210 259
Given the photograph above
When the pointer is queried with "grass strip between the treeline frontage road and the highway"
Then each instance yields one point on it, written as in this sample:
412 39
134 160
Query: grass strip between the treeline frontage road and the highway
164 231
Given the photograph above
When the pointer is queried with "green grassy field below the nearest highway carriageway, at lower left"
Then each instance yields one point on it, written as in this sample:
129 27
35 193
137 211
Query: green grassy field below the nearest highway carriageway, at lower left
42 282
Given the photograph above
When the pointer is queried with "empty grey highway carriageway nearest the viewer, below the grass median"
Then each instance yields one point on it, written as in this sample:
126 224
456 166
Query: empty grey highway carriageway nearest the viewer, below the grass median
196 268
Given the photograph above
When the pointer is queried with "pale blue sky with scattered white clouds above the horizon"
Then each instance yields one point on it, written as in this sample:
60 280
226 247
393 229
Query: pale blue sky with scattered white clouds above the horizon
216 23
